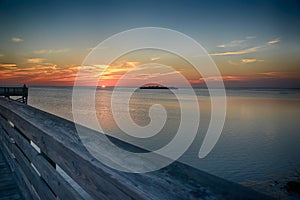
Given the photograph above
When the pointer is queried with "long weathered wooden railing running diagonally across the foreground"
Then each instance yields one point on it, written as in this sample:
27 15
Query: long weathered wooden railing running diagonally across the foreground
41 148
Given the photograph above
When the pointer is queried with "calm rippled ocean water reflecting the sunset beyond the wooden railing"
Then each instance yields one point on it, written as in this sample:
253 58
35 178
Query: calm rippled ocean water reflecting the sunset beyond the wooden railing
260 139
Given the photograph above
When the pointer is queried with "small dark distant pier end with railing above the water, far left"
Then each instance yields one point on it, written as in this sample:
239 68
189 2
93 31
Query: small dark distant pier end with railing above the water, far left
20 92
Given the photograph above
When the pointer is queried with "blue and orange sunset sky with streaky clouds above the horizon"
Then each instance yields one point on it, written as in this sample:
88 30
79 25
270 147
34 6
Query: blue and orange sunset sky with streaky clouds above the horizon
253 43
